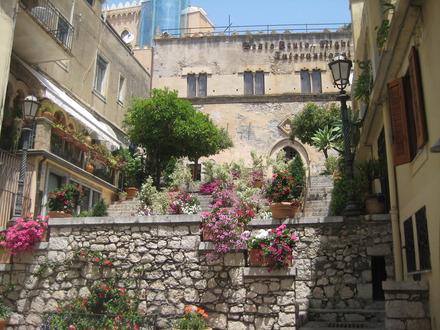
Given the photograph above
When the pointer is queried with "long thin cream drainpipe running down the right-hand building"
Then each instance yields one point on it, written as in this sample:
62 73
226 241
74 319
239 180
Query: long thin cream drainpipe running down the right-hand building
394 201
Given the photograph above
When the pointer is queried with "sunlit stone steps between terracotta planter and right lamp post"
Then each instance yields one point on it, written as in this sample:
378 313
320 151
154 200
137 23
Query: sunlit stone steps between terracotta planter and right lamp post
317 204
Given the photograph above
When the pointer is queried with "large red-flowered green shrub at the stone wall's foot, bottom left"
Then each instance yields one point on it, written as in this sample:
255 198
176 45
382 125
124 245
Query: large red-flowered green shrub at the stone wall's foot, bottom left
107 307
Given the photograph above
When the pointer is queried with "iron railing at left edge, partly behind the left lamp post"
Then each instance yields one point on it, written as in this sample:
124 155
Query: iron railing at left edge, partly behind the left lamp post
9 171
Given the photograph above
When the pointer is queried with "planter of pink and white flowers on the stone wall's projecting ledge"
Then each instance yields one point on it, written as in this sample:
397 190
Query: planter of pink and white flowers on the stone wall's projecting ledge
272 248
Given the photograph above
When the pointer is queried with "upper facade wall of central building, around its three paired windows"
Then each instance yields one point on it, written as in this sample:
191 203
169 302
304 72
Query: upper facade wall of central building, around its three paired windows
225 58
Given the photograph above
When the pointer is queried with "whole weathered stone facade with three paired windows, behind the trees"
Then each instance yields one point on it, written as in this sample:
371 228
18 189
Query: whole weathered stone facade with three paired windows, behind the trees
252 84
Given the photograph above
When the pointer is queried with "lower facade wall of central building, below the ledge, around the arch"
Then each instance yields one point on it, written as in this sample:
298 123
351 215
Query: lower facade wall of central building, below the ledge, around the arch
262 127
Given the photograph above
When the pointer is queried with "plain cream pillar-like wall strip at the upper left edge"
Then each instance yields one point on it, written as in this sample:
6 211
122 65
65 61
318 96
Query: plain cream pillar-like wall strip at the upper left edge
8 11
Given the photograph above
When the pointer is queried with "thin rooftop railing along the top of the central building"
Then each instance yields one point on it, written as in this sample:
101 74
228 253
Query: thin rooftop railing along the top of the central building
258 29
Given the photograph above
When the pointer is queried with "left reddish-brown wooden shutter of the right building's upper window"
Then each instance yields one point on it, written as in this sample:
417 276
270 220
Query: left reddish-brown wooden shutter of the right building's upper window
399 122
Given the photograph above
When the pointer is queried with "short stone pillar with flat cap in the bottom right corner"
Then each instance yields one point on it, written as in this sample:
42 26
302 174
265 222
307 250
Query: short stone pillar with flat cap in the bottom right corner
406 305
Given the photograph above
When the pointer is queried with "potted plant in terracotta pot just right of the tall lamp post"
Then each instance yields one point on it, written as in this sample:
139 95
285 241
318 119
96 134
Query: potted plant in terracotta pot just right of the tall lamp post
369 171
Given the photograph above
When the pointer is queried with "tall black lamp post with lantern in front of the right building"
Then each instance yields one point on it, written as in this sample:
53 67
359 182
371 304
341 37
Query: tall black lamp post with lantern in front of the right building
341 70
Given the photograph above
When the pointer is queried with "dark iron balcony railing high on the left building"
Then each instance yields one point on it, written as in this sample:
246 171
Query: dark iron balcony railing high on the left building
45 13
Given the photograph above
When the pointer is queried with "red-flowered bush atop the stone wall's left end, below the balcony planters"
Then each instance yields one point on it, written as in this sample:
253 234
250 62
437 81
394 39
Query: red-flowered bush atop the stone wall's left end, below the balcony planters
66 199
